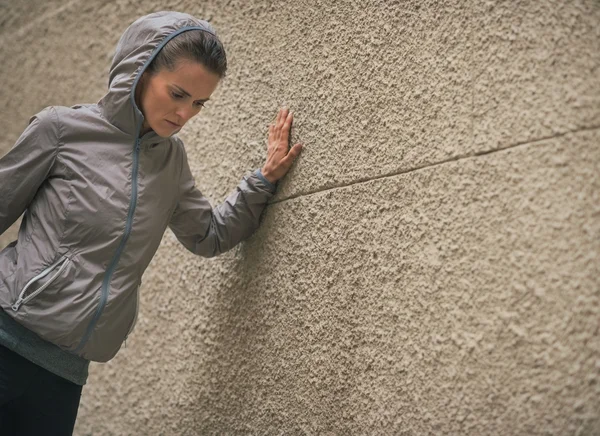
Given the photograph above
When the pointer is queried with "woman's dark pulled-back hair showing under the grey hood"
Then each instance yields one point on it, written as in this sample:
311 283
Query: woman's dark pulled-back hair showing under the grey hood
192 45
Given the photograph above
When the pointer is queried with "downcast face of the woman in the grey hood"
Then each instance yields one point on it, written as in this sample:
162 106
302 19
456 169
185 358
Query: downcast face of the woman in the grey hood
170 98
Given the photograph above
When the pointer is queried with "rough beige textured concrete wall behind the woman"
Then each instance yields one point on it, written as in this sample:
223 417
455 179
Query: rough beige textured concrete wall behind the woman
431 263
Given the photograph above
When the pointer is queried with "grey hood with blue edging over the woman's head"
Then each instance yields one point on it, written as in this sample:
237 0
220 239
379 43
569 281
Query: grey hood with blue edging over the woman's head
137 47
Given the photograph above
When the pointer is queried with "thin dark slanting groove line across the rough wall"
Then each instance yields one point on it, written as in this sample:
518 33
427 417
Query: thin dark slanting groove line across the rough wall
434 164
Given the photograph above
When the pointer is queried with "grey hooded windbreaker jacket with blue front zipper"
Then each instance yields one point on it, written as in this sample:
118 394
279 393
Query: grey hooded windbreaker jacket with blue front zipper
97 199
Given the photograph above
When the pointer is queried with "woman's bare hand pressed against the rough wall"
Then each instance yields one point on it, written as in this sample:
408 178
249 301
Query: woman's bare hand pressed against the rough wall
279 158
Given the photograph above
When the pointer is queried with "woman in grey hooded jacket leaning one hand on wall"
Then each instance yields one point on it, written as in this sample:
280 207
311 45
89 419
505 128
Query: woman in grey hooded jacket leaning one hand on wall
99 185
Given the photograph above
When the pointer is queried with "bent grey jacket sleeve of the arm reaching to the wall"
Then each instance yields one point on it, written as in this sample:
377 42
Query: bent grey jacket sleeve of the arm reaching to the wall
208 231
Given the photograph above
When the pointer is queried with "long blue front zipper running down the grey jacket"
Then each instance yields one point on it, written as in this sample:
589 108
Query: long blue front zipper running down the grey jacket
115 260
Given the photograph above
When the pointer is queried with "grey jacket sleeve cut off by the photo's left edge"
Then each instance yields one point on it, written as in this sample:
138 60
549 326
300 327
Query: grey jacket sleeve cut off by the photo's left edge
26 165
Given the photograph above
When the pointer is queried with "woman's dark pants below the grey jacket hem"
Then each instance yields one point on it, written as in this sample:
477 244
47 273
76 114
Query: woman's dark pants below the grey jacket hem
34 401
